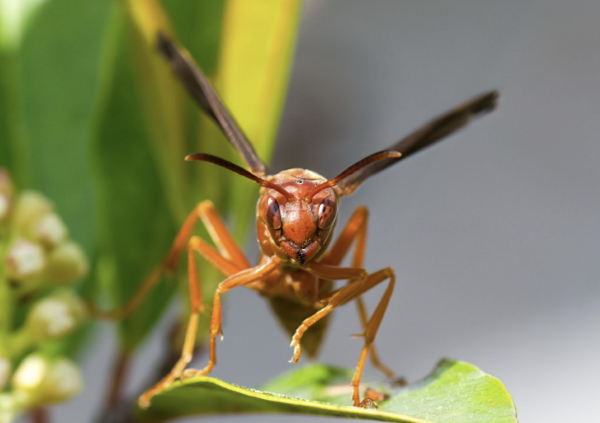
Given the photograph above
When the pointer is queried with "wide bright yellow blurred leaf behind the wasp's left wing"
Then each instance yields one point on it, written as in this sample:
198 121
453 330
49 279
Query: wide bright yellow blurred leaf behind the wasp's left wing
257 47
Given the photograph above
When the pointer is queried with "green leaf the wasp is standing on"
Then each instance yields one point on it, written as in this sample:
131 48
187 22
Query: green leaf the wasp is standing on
455 392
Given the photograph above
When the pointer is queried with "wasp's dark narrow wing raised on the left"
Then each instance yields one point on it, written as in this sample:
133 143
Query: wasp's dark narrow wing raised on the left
201 90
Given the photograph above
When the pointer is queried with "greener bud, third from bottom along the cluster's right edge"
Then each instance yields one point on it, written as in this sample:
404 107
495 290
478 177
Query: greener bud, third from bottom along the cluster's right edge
66 263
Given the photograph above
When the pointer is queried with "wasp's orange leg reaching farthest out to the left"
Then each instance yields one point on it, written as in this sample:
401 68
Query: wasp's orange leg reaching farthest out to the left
225 243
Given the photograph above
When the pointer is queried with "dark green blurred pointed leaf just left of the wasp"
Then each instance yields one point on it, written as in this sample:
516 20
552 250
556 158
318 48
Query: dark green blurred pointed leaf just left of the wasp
136 226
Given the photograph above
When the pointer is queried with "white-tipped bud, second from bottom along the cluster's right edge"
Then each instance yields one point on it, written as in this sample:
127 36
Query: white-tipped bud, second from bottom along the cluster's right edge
55 317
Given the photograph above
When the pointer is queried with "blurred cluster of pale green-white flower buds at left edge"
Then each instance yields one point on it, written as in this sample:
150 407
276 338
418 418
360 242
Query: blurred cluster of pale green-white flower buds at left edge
38 308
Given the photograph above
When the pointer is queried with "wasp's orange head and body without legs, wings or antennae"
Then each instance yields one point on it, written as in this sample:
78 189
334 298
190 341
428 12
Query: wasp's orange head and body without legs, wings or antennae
292 291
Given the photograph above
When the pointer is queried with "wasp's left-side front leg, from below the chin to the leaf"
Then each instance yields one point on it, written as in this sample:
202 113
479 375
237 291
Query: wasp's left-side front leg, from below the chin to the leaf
239 279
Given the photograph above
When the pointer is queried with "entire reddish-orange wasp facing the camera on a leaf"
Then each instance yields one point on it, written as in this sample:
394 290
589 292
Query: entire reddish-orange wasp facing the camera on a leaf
295 217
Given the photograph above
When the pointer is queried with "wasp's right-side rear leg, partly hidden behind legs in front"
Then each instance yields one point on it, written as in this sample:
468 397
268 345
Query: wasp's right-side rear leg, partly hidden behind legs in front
356 229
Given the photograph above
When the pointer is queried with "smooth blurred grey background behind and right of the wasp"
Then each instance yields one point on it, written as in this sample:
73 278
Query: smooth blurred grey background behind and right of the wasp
494 233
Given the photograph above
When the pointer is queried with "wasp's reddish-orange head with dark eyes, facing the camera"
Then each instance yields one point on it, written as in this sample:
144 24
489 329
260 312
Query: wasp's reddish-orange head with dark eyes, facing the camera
298 228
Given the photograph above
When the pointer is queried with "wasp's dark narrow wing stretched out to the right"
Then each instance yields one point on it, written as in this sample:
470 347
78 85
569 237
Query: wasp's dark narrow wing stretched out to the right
427 135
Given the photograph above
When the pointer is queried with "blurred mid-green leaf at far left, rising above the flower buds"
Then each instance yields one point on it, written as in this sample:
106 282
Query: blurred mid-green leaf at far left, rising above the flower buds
59 84
